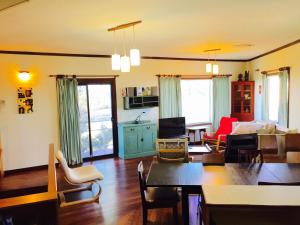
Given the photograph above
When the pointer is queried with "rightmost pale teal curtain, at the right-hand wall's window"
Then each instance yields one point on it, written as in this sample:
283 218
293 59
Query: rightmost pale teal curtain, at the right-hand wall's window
283 111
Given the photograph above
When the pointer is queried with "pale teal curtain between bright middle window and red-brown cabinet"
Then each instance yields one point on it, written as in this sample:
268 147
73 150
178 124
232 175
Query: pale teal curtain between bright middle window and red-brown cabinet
221 105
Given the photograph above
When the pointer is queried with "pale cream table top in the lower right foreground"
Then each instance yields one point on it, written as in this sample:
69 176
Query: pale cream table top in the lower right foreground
253 195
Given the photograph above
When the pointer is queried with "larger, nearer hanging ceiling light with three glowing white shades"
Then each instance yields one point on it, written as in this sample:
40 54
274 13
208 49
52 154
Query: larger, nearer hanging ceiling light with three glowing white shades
124 62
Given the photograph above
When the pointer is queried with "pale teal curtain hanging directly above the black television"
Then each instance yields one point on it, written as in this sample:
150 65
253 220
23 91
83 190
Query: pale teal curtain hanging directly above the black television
170 97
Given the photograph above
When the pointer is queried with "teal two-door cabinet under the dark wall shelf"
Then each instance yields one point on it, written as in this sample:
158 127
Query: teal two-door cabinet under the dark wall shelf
136 140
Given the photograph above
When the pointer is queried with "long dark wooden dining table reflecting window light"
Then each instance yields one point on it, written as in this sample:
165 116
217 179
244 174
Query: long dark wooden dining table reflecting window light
191 176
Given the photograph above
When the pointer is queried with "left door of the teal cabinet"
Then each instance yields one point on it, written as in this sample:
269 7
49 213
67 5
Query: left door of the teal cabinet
131 140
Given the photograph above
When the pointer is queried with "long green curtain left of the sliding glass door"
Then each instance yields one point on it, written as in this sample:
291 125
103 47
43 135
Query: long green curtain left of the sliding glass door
67 98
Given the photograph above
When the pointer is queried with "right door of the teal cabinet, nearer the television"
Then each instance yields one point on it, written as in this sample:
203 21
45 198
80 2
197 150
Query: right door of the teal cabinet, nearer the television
148 133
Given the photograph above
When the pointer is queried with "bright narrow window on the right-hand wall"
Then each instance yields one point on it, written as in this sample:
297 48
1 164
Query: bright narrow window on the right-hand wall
273 97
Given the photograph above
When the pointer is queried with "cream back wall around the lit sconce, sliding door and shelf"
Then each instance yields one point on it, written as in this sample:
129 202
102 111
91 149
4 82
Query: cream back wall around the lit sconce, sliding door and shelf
26 137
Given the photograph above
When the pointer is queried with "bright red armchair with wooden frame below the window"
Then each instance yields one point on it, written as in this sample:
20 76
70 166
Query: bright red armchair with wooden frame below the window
219 137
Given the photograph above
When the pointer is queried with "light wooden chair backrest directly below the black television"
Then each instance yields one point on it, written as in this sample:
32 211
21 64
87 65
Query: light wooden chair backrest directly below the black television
172 150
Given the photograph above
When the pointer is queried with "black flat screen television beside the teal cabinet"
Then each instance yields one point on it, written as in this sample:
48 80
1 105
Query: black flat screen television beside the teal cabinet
171 127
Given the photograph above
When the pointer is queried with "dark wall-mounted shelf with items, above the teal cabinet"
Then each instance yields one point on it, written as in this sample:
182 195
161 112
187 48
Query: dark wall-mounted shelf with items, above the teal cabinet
140 97
